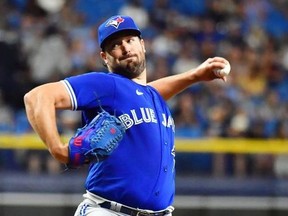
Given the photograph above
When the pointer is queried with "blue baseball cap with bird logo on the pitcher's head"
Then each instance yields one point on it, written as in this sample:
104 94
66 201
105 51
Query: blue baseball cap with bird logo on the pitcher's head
114 25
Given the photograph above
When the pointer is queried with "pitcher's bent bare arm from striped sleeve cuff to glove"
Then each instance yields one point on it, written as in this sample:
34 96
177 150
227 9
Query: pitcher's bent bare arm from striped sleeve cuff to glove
41 104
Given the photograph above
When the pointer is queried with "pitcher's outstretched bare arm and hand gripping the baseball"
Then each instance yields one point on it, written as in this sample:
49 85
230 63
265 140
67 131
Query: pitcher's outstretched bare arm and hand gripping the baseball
172 85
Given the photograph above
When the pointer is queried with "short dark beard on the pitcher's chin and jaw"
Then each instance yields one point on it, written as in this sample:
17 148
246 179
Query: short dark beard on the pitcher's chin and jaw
130 69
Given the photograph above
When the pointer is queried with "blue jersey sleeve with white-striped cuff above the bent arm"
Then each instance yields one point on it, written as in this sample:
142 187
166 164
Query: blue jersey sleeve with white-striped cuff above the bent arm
90 90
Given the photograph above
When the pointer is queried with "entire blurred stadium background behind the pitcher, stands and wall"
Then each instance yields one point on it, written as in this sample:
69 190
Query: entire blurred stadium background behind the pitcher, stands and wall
231 137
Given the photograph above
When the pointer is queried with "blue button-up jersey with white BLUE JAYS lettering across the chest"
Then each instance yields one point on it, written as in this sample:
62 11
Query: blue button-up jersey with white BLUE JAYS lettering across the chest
140 172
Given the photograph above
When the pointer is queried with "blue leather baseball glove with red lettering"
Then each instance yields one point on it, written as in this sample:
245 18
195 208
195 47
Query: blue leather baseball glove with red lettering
96 140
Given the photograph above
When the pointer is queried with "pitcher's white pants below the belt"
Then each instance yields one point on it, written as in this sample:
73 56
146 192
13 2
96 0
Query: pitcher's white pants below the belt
90 207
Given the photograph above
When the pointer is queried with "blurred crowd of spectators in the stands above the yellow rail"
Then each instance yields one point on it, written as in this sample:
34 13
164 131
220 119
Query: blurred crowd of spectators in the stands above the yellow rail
47 40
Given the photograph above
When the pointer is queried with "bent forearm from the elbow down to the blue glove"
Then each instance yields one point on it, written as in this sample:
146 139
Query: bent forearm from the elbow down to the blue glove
41 113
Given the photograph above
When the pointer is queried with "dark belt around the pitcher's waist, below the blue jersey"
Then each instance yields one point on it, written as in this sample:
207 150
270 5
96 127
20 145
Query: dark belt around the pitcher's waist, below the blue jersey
132 212
